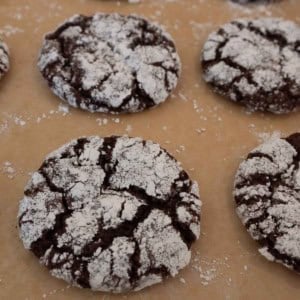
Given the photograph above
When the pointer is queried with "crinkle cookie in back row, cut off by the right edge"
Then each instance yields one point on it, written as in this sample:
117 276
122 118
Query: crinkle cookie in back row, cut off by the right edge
255 63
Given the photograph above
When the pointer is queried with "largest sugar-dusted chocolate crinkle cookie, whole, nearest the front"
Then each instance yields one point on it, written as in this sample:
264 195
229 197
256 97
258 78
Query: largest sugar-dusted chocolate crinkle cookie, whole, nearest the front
111 214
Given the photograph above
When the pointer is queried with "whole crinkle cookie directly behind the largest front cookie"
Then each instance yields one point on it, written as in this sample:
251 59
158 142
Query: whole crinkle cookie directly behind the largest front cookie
110 63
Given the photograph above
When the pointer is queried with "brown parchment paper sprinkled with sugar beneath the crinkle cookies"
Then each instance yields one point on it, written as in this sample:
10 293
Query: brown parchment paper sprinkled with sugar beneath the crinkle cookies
206 133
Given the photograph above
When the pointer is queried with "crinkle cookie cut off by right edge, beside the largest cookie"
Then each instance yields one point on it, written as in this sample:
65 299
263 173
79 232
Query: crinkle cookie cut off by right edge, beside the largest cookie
267 194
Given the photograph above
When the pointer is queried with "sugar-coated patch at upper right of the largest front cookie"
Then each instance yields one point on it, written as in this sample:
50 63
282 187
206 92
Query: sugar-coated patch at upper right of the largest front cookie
155 171
